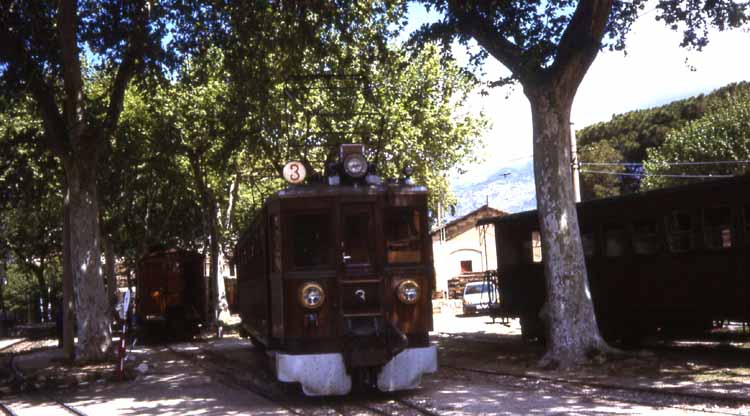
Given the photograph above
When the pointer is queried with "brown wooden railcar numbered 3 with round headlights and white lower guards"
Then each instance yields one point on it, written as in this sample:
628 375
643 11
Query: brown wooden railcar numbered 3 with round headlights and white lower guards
335 280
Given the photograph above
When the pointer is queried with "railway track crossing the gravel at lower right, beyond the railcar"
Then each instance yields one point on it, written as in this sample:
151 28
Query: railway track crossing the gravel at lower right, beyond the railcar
631 394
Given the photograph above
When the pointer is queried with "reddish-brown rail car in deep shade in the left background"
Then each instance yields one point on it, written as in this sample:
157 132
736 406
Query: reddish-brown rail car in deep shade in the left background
171 292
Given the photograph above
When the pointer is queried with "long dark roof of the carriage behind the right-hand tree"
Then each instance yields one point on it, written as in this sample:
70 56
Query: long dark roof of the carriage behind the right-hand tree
612 202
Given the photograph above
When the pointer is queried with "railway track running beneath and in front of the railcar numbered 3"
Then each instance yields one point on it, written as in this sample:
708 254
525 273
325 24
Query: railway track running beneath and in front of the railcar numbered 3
283 395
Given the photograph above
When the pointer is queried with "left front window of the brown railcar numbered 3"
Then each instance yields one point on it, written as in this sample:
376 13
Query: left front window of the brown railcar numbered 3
310 242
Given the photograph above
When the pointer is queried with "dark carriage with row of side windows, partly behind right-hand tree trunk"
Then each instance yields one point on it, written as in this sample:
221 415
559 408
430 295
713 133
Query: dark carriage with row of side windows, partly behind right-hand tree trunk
670 260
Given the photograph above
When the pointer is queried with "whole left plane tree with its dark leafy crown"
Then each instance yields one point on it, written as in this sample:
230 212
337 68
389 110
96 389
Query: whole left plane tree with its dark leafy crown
41 57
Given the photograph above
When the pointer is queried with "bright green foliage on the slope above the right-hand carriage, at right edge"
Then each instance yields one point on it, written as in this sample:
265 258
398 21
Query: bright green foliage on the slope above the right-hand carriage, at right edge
721 135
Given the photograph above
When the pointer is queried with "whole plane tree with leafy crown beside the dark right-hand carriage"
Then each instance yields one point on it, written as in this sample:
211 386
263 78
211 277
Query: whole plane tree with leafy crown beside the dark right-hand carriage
548 48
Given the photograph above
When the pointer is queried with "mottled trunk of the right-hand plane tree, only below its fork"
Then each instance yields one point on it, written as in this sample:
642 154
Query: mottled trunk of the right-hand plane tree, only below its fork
568 313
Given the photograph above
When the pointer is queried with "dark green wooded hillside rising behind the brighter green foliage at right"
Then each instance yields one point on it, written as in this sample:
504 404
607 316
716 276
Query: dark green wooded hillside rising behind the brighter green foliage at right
627 136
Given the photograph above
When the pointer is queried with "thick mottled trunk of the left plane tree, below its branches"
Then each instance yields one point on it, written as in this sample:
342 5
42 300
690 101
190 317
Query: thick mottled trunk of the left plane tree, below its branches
94 334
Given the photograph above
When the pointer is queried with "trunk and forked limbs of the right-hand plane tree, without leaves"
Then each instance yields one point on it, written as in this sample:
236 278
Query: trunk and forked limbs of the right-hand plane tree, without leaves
572 332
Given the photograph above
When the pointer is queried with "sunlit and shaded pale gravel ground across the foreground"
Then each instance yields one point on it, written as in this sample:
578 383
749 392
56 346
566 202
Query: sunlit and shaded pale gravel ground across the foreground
684 379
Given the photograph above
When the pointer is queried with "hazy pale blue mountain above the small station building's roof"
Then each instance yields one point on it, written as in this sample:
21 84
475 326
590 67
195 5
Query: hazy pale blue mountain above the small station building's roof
510 189
